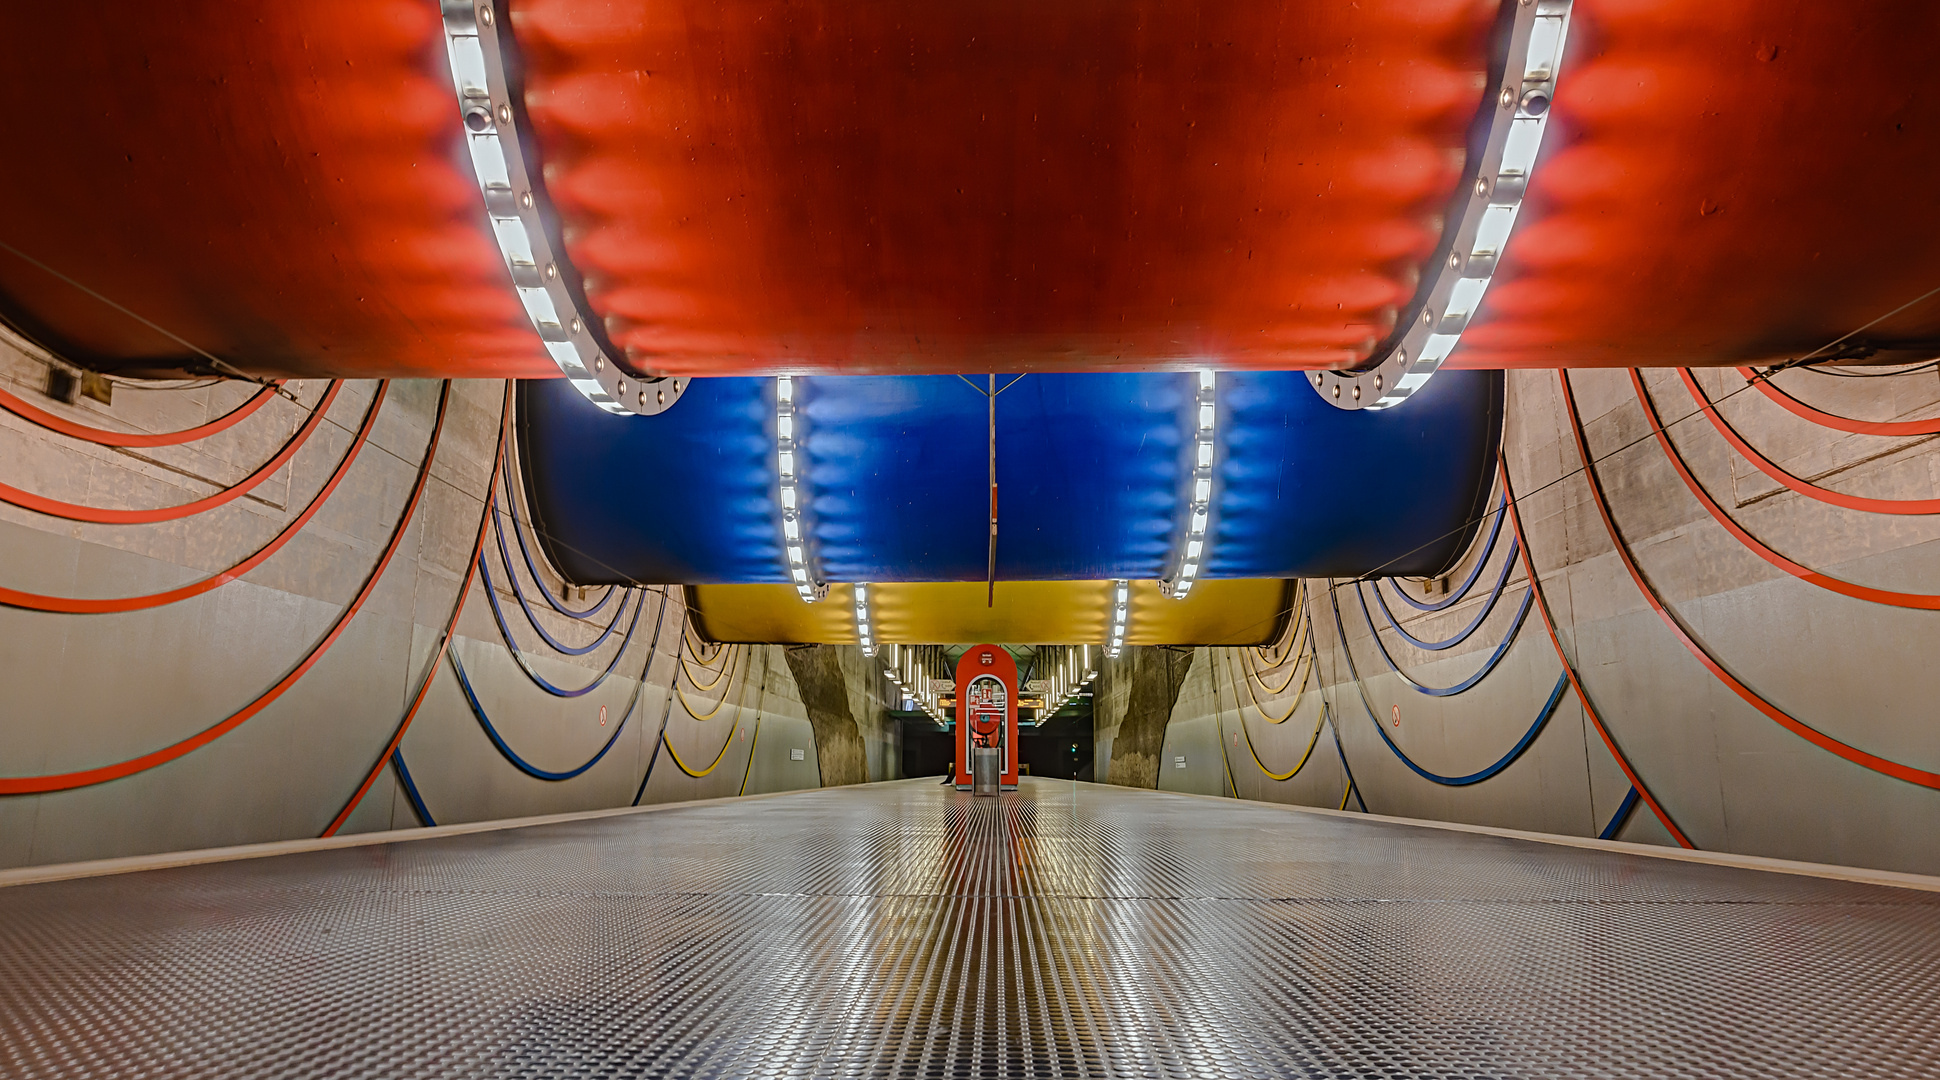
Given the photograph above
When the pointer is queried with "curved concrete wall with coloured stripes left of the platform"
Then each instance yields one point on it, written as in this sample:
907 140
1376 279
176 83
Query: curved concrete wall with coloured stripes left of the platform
82 691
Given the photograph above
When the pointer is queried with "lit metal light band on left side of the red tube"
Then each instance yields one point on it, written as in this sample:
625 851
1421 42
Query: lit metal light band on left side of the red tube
515 205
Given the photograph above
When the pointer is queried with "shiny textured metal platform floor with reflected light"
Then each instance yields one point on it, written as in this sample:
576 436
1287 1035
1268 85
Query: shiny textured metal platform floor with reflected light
913 932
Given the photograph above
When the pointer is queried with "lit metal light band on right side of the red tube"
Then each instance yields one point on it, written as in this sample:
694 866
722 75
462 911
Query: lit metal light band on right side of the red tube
1481 230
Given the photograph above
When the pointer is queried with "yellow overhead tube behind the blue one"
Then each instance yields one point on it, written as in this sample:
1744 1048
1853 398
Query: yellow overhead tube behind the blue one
1217 614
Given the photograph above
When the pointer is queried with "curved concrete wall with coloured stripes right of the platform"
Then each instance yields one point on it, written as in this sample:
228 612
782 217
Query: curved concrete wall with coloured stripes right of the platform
1733 778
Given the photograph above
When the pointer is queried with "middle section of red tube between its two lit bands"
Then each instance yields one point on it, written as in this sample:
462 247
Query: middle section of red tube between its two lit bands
888 187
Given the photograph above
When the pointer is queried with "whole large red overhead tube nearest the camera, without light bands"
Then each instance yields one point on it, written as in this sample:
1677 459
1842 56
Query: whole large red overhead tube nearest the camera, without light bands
843 187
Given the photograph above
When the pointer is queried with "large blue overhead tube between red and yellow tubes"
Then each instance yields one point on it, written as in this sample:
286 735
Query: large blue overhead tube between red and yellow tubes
1091 472
